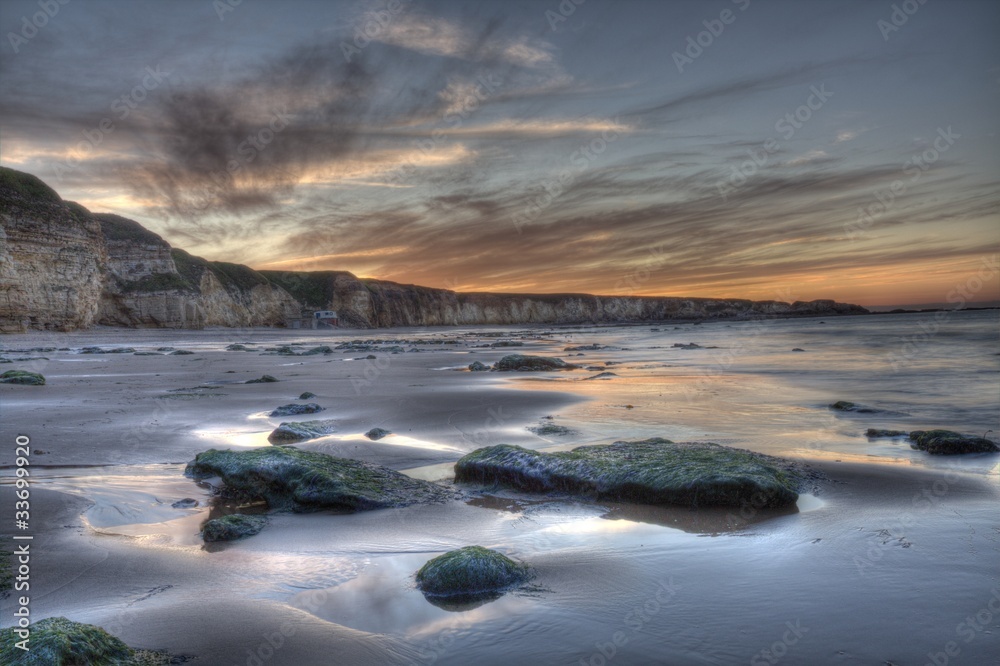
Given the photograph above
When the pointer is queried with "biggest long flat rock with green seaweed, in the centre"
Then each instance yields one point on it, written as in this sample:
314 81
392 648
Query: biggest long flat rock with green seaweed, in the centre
652 471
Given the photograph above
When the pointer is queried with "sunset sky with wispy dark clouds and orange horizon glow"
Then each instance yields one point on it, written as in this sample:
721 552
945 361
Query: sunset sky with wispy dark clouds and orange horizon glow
730 148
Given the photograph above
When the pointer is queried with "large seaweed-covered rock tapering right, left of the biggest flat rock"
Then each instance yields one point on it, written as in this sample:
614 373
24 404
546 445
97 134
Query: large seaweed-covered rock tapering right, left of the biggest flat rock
289 478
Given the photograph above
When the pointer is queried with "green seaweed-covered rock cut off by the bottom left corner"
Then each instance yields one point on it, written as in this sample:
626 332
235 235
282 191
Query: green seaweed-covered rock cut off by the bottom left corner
57 641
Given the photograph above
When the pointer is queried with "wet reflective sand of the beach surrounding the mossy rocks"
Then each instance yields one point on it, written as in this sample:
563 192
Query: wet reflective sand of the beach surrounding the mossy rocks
881 562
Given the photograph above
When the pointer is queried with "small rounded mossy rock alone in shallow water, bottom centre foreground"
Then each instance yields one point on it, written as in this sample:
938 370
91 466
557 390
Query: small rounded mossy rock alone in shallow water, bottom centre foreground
469 572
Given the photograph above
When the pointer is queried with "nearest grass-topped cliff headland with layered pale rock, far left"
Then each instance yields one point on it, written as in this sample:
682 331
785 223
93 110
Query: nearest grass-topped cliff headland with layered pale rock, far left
52 258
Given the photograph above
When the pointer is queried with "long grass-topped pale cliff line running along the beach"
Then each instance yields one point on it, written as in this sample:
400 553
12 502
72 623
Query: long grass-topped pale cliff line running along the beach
62 267
